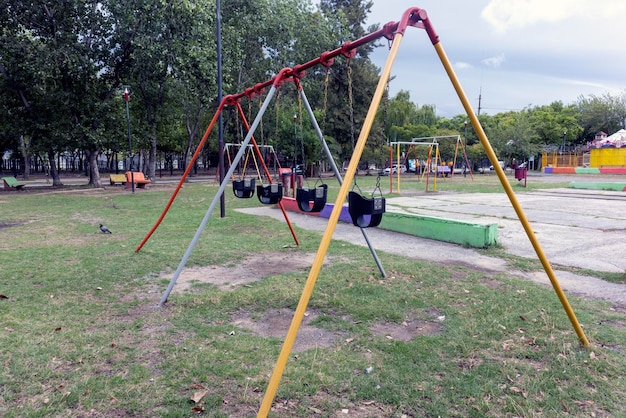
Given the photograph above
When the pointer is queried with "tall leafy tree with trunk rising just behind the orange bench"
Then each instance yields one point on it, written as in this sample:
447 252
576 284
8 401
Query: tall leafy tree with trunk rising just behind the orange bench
168 40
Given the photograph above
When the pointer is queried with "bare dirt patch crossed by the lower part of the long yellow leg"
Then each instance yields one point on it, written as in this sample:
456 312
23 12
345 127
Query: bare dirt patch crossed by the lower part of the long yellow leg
275 323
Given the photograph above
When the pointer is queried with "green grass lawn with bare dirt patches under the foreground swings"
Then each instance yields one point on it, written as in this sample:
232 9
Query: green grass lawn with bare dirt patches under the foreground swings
81 333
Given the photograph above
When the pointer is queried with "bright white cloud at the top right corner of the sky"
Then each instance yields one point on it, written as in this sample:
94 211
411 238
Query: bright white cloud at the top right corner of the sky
504 15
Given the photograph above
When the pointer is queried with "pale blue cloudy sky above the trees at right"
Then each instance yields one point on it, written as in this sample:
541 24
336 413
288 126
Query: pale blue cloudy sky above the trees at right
513 54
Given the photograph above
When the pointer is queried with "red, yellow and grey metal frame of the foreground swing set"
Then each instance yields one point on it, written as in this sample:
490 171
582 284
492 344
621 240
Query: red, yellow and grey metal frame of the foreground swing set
394 33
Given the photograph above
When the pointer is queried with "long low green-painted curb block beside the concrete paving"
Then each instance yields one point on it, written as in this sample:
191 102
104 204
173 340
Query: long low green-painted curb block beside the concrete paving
441 229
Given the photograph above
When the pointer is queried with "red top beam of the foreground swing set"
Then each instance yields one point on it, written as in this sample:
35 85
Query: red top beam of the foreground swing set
414 17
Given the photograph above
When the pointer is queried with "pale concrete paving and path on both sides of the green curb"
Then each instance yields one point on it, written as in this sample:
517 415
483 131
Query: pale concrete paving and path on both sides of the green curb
574 229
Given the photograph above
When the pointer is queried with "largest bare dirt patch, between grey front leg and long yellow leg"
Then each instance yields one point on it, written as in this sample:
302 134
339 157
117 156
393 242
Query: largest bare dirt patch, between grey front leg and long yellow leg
248 270
